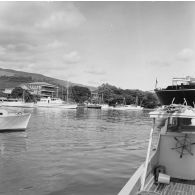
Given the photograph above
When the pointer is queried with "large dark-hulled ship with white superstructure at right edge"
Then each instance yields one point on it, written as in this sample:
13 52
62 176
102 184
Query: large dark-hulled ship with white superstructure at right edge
182 91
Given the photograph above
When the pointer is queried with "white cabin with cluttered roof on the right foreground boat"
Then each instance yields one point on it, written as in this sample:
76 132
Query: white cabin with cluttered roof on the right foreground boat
176 145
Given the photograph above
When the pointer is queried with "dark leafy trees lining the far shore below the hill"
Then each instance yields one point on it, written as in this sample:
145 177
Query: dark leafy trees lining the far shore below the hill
104 94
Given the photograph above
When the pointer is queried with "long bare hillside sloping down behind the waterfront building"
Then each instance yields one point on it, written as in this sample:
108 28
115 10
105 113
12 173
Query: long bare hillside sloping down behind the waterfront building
12 78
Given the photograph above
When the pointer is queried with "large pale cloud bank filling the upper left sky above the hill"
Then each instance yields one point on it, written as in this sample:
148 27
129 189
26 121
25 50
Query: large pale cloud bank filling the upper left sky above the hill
33 35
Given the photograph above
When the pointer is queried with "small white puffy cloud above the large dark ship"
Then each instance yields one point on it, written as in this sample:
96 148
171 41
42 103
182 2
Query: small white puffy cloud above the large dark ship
186 54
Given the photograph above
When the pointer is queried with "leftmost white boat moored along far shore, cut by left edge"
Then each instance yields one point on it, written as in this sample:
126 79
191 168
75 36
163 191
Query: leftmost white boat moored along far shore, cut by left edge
14 102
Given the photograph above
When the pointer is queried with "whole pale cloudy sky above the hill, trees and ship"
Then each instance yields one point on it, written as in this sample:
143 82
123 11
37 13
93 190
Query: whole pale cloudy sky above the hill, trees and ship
126 44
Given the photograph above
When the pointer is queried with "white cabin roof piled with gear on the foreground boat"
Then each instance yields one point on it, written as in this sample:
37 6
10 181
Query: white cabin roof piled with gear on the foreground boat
174 111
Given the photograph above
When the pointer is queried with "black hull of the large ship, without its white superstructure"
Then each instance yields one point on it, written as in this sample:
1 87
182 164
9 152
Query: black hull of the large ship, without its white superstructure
180 96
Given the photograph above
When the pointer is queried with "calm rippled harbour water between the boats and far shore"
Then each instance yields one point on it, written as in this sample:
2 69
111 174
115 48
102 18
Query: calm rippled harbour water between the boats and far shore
73 152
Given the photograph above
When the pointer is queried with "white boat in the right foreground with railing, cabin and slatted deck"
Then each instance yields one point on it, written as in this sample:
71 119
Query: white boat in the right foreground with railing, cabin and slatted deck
170 169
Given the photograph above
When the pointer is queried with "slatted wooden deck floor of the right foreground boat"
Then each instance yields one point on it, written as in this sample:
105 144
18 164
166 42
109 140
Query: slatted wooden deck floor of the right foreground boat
176 187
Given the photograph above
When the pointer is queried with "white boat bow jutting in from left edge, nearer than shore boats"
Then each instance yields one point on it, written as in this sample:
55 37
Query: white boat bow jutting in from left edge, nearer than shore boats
13 121
